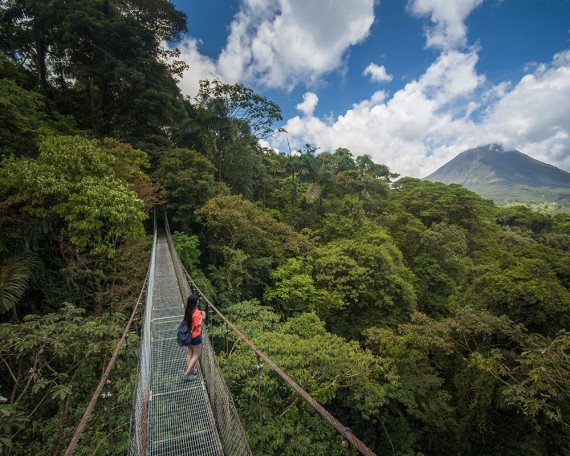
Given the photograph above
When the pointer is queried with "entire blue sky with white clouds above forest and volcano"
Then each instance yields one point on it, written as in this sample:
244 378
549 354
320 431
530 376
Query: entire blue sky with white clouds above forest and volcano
412 83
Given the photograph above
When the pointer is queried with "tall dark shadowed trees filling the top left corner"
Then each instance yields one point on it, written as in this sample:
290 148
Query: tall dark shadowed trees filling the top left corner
100 60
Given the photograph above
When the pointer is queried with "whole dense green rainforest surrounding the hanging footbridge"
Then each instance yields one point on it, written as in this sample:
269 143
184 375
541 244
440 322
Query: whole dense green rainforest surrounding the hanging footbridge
427 319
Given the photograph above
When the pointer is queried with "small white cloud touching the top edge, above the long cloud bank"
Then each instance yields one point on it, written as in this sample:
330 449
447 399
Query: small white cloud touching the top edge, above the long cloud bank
448 30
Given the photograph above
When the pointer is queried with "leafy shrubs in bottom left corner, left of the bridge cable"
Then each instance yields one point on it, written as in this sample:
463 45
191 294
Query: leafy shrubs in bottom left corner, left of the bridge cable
50 365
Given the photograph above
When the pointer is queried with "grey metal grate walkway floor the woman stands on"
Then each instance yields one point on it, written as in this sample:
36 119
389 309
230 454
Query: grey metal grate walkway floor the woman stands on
180 418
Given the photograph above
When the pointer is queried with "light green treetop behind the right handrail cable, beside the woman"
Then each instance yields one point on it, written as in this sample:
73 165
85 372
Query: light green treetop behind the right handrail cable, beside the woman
335 372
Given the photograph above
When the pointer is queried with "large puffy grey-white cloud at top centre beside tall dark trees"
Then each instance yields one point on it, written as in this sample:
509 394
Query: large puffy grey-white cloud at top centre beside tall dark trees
282 43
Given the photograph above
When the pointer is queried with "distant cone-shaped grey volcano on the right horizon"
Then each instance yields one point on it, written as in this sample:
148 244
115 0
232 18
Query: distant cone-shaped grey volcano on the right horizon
508 177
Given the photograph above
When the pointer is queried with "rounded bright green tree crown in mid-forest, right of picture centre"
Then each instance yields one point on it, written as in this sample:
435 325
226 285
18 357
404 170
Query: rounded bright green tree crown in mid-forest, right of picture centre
352 283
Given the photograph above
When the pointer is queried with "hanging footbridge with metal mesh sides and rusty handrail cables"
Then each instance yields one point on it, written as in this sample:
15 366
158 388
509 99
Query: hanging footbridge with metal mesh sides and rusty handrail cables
174 417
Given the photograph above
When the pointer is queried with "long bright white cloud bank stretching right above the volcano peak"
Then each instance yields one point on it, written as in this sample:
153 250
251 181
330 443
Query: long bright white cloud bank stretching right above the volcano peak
429 121
